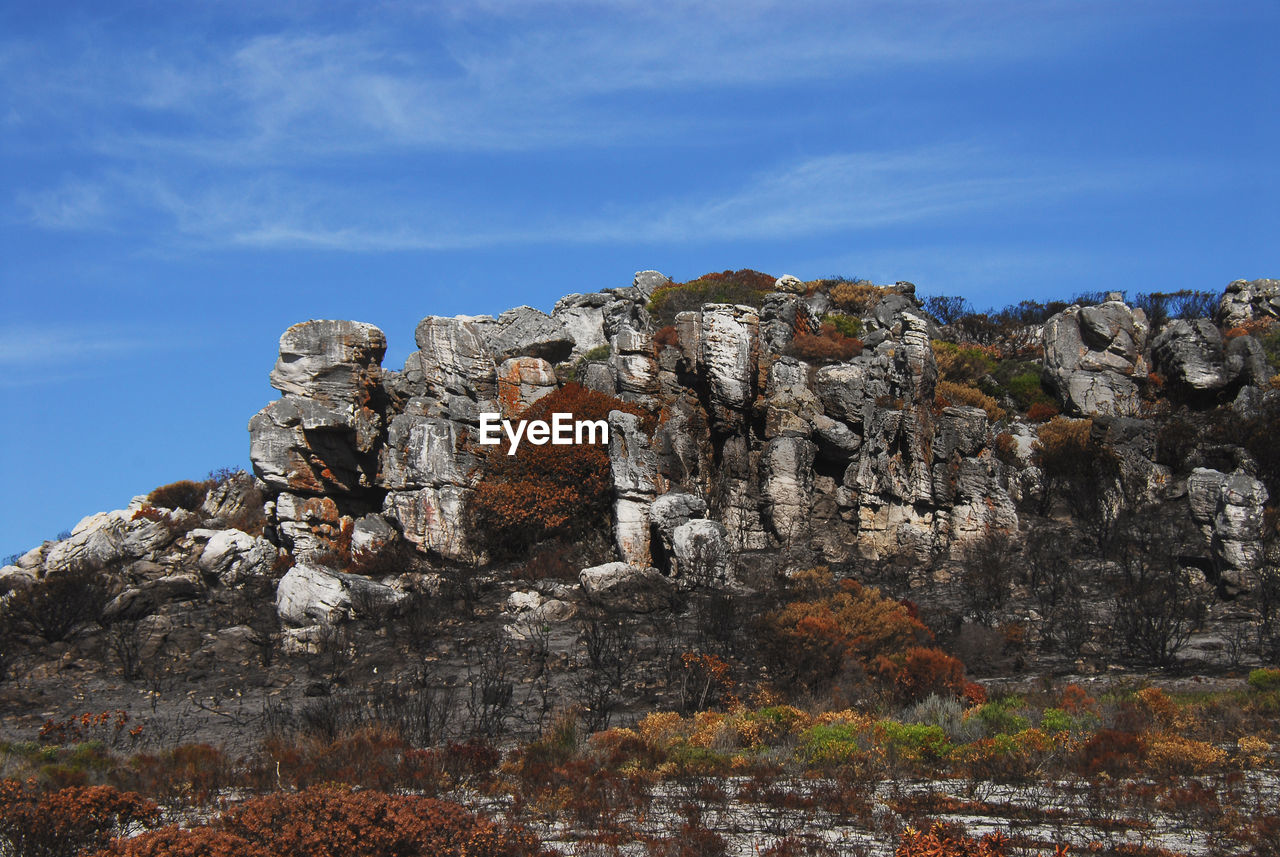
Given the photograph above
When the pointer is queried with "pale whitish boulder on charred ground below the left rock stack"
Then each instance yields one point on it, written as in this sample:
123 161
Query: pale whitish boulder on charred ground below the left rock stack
316 594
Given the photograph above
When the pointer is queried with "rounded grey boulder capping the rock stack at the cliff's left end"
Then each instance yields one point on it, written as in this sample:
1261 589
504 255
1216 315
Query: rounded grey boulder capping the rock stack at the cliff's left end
335 363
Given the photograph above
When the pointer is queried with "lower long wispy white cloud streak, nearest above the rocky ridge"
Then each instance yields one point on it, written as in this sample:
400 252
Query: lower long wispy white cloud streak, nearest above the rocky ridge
839 193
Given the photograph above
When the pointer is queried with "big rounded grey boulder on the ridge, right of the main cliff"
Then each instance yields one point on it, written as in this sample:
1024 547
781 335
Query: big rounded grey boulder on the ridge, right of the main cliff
1092 356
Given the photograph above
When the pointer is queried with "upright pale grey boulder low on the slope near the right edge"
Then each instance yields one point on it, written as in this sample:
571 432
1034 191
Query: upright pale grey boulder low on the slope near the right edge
1229 508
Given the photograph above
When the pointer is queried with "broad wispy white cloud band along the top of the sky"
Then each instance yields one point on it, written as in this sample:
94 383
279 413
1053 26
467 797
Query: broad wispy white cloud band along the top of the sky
483 77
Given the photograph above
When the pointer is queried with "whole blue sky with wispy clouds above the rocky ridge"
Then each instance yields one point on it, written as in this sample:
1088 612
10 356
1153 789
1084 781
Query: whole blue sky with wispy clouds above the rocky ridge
185 181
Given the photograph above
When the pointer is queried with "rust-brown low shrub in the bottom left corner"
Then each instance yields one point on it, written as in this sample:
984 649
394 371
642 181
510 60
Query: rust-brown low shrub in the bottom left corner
65 823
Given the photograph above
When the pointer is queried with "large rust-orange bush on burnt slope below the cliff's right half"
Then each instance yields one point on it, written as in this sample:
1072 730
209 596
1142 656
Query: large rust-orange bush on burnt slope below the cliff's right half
831 630
